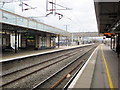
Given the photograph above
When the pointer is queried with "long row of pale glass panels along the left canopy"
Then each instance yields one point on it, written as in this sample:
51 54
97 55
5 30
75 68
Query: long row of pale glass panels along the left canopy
21 21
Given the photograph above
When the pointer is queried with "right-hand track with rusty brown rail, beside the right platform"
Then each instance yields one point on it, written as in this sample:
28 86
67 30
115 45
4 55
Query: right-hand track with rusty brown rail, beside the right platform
55 80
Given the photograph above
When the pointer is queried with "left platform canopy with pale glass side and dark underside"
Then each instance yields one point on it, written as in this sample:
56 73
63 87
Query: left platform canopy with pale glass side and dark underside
12 21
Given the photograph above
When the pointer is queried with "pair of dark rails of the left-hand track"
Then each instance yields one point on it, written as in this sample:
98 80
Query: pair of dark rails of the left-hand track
30 67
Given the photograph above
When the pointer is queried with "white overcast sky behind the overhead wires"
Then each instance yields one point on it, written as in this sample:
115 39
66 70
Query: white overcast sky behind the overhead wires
80 19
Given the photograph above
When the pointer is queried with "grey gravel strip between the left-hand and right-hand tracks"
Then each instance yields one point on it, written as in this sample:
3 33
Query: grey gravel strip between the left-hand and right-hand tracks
32 80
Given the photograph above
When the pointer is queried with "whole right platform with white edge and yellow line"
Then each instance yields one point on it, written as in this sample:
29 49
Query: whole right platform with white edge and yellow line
100 71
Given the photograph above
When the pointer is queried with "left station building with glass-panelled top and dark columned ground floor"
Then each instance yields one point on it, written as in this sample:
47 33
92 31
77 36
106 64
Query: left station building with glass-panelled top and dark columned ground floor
19 32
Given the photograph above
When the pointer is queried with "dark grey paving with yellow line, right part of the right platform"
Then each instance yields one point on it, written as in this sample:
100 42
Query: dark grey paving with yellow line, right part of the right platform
103 78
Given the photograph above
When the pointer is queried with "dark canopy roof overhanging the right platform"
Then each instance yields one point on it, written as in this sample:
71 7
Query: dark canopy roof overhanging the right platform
108 15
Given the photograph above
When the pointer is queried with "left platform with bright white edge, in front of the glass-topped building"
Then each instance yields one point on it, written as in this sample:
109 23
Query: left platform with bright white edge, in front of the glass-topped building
22 54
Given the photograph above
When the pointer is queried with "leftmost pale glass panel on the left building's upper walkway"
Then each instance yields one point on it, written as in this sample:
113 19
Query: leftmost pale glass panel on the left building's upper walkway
9 18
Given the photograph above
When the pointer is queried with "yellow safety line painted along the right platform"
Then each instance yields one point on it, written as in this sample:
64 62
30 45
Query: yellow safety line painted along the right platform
107 70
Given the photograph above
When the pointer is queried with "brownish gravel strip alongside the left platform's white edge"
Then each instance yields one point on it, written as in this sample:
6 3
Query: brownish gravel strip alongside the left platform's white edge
7 67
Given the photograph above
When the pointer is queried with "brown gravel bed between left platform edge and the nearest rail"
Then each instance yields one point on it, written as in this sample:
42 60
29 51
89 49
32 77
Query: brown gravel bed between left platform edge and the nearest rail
27 62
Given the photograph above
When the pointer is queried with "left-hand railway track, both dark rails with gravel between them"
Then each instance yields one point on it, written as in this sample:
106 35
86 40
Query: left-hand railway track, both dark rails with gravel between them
42 65
